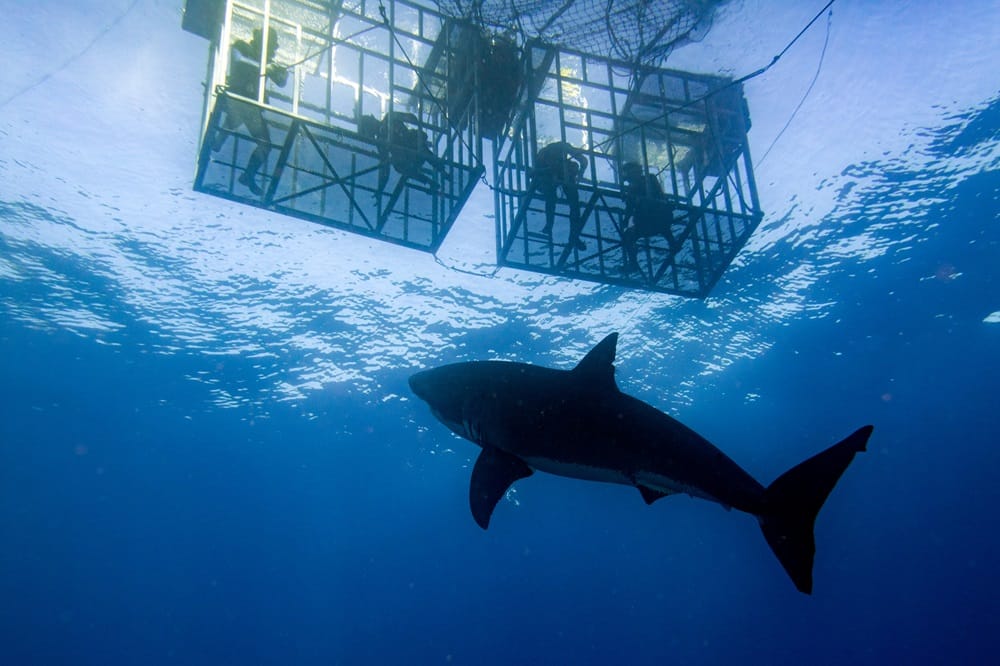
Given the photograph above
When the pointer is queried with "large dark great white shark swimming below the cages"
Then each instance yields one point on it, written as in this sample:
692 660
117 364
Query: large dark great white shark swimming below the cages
577 423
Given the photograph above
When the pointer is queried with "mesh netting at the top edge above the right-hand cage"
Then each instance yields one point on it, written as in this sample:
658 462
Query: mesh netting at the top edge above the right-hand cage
632 30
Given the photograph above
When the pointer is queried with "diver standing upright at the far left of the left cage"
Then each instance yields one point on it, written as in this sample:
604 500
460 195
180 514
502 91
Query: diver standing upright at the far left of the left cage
244 79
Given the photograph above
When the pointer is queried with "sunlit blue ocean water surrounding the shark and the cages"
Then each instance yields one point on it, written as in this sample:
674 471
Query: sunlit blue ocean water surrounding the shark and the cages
209 453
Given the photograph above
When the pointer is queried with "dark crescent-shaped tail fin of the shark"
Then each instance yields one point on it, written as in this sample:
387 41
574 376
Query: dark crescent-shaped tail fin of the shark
793 500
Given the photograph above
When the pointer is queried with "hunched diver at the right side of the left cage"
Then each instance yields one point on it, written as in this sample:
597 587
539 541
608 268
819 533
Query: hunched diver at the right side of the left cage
405 148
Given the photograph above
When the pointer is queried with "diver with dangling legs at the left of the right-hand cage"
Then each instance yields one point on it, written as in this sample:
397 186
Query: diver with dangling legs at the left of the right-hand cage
558 166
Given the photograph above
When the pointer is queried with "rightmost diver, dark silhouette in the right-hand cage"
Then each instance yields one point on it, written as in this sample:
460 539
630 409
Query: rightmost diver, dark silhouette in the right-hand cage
648 212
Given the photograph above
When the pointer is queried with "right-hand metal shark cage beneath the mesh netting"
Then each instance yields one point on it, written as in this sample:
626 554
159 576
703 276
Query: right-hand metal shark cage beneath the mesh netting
686 130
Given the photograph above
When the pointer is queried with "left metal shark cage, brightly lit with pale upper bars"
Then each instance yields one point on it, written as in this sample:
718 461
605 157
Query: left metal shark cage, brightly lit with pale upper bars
372 131
